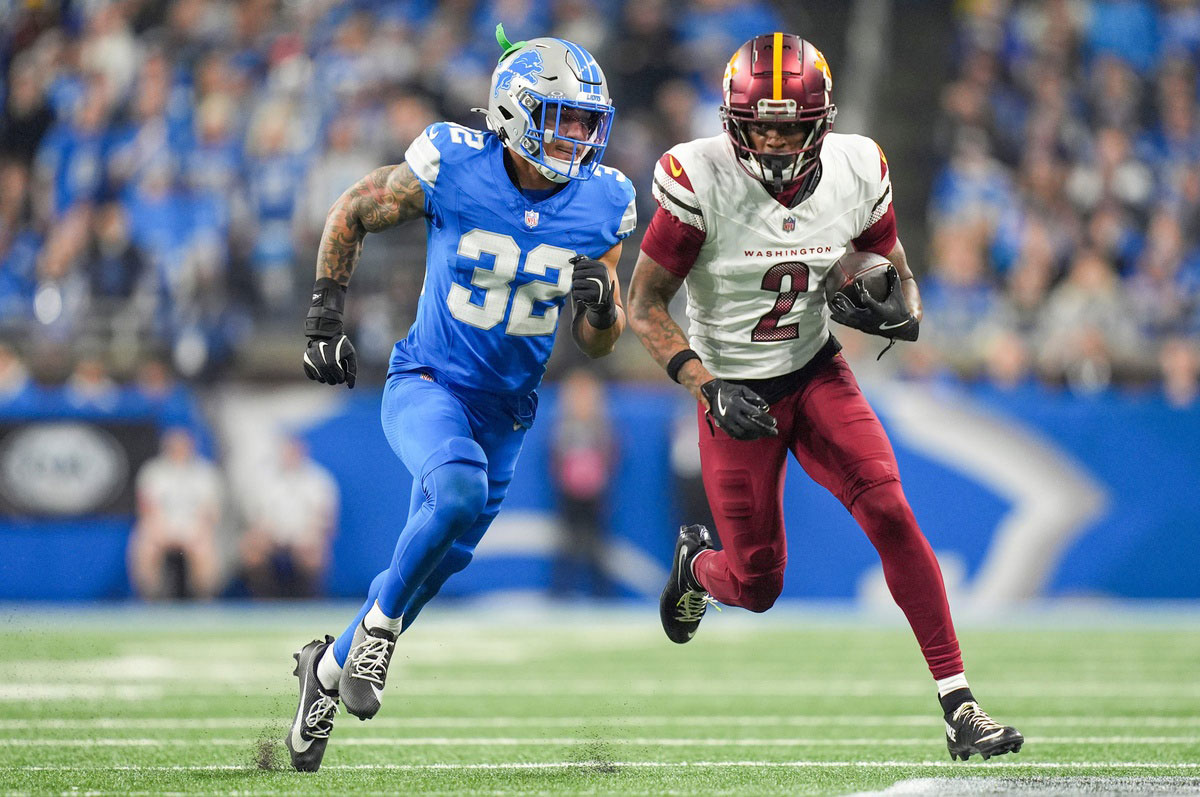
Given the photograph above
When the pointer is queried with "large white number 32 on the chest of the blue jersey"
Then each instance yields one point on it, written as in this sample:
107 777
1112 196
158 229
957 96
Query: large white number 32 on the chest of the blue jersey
497 284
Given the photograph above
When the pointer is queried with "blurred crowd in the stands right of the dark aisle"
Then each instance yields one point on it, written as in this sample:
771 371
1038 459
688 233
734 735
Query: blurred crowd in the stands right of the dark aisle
1065 224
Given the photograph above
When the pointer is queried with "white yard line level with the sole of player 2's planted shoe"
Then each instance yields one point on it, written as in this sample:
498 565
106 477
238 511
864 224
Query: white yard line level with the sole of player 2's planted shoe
568 741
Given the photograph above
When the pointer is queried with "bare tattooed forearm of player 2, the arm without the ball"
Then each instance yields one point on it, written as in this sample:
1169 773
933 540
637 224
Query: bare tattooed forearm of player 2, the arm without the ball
651 291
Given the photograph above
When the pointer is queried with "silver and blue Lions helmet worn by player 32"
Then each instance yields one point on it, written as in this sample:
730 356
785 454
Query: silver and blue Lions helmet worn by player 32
550 105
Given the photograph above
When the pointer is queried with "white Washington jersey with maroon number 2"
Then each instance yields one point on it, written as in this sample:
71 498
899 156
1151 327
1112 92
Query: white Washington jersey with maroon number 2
755 295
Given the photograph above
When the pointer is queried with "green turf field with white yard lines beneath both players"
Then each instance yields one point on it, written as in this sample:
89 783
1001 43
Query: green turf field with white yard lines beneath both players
593 703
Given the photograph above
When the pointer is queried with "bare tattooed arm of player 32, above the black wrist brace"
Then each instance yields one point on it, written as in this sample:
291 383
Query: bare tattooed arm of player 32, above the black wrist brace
385 199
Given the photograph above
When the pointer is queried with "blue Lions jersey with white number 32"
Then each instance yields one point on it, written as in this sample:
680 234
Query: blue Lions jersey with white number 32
497 271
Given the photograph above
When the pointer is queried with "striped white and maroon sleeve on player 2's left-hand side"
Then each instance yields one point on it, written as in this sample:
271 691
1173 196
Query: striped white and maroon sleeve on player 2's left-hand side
677 230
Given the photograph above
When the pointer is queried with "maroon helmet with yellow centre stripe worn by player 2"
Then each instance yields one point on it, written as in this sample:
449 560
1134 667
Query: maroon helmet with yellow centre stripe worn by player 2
778 80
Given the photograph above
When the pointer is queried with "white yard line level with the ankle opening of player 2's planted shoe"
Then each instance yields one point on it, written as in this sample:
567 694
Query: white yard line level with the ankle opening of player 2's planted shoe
717 721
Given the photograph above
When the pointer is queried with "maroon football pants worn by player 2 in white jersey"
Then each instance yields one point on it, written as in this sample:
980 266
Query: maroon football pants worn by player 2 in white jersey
839 442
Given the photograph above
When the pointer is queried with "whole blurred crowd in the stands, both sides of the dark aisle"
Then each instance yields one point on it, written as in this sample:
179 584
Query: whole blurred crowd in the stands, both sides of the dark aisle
166 167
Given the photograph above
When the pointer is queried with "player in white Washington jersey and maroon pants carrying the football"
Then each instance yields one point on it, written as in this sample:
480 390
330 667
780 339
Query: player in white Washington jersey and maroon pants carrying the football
752 221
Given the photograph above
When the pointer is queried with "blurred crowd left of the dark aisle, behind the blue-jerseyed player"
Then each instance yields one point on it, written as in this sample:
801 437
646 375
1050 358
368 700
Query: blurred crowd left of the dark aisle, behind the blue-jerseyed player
166 166
